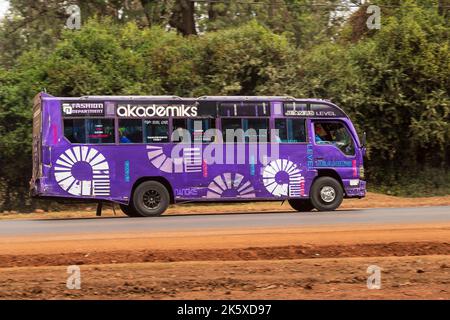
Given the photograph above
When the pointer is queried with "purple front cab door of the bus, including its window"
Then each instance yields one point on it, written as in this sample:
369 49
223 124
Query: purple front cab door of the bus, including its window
334 147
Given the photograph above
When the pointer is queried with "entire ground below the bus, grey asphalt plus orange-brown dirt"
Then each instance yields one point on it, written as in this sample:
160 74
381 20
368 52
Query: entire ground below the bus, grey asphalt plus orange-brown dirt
231 256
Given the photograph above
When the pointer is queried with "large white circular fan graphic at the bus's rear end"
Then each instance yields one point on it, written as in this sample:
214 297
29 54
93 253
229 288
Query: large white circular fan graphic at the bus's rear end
96 184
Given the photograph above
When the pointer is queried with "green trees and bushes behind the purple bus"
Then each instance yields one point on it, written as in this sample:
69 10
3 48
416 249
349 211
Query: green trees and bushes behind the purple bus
394 82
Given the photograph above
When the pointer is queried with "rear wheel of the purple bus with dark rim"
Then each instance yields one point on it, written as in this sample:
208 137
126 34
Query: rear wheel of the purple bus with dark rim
150 199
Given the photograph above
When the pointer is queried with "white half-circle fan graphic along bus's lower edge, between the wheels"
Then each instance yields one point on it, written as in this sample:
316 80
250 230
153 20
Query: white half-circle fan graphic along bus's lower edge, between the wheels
230 185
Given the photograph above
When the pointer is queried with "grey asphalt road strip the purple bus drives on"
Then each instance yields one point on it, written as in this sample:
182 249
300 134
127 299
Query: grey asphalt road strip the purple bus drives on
224 221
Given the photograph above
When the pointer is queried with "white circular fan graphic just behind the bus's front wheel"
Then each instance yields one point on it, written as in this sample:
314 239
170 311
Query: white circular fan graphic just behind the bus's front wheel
293 183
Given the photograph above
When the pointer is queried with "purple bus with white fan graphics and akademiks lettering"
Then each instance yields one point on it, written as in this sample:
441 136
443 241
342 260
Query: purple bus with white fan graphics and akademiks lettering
147 152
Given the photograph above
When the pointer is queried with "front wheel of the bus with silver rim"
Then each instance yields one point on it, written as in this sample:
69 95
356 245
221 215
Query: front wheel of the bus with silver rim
326 194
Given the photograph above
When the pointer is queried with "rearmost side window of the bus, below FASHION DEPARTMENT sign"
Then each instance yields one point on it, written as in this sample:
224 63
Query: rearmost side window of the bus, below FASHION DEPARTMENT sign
89 130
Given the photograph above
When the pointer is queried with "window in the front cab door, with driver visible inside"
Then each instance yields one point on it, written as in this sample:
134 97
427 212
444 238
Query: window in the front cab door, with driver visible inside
334 133
